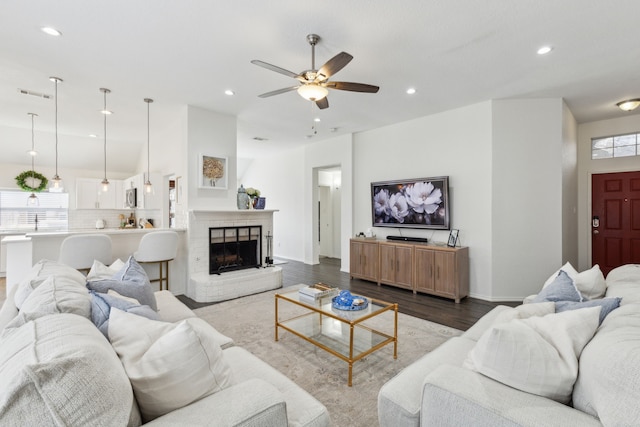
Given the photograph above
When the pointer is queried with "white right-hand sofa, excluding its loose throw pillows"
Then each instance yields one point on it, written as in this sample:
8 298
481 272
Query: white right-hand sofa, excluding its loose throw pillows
440 390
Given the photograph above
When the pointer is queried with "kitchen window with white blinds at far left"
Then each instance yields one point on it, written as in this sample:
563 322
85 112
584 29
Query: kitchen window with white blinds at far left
50 214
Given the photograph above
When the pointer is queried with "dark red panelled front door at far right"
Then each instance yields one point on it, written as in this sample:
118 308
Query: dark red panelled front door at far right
615 219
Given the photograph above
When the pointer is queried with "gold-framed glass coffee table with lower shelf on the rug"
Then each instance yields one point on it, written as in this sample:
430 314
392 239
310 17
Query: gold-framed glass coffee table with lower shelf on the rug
342 333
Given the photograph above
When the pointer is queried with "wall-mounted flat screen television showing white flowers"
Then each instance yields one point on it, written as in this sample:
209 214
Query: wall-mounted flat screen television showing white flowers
411 203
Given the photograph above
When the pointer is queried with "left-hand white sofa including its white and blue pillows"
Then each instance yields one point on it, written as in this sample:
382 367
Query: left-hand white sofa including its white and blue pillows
75 356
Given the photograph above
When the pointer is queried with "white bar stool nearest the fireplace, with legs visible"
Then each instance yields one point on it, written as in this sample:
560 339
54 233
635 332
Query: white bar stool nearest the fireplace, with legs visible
158 247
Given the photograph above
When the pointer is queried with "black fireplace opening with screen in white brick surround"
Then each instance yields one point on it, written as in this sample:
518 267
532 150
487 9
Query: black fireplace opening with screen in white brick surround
234 248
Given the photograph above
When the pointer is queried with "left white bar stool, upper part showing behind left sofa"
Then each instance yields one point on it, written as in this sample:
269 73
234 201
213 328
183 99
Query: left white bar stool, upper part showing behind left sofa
81 250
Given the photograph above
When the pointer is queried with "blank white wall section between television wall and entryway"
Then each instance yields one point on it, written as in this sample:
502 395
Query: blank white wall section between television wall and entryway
527 195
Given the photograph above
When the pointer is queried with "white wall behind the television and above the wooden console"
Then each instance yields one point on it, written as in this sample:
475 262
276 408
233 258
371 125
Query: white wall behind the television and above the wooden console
455 143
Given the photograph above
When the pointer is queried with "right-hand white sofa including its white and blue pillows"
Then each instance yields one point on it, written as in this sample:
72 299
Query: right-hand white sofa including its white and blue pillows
569 357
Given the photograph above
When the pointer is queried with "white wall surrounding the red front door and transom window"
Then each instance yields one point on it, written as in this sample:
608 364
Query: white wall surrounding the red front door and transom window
587 167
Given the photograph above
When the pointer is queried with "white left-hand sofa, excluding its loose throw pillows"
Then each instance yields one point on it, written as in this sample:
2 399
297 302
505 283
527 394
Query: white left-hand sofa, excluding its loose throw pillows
57 368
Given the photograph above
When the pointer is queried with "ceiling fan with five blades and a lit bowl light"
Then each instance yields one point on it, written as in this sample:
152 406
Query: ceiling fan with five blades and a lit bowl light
314 84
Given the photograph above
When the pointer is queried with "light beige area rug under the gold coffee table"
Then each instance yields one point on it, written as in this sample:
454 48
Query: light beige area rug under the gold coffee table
250 322
